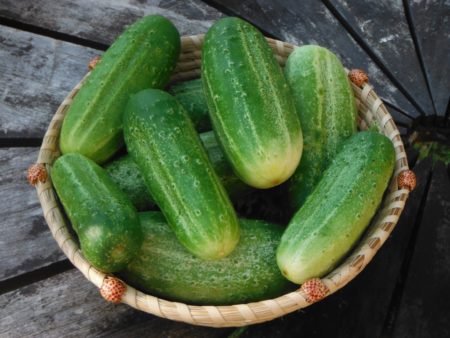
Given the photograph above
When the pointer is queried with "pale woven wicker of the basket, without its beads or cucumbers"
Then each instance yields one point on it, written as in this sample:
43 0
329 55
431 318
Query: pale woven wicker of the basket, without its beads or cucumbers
371 112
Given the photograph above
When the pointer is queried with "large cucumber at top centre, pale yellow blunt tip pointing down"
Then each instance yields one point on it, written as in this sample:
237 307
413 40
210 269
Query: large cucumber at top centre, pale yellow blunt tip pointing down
250 104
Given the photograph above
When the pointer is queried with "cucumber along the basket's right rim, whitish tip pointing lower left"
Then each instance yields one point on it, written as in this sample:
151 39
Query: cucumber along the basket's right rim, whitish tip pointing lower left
339 209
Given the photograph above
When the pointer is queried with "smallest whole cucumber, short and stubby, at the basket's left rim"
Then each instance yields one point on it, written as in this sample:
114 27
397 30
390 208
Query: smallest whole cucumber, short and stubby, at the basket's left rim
103 217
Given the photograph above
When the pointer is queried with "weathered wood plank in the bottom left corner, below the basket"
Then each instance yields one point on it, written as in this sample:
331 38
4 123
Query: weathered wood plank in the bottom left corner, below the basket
67 305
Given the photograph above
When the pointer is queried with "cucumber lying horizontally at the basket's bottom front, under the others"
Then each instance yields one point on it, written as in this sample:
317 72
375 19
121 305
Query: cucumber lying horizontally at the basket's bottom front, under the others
166 269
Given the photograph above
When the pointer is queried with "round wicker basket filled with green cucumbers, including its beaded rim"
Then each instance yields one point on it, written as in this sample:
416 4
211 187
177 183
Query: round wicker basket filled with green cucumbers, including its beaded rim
159 171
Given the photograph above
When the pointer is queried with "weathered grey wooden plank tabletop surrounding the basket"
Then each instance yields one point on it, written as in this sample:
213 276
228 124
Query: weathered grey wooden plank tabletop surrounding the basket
45 47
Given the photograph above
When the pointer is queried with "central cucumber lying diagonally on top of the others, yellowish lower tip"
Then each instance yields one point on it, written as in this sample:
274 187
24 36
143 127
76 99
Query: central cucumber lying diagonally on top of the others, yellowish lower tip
164 144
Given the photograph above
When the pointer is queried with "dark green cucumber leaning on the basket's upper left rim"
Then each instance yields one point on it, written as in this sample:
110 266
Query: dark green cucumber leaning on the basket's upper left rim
144 56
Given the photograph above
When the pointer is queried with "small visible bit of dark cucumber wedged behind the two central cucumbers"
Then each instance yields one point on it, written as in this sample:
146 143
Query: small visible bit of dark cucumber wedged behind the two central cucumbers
192 97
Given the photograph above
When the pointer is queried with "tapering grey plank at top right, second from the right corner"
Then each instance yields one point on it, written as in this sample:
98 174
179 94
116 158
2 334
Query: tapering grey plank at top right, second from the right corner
384 28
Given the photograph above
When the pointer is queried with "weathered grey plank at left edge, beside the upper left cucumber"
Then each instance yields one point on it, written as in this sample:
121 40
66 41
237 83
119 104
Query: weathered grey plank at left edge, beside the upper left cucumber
37 73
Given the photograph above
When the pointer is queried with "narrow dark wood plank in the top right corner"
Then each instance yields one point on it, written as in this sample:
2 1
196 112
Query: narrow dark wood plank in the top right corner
431 23
